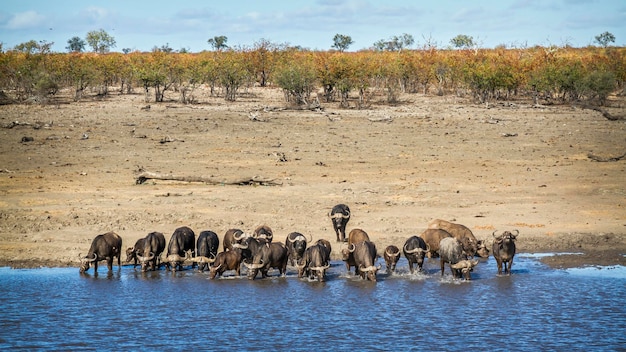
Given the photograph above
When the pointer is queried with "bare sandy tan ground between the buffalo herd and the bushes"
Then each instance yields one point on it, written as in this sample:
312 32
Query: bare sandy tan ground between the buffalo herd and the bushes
500 167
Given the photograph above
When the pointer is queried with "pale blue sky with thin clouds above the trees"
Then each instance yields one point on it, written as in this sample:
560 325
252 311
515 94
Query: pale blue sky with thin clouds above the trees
142 25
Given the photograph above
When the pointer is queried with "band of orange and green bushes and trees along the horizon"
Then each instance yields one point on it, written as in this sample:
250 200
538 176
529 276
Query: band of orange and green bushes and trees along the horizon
554 73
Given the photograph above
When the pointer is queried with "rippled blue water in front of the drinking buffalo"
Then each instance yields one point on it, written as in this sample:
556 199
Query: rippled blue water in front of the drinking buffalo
536 308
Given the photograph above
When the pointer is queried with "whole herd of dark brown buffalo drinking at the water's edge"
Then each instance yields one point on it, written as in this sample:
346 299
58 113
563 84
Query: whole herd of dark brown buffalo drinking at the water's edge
452 243
